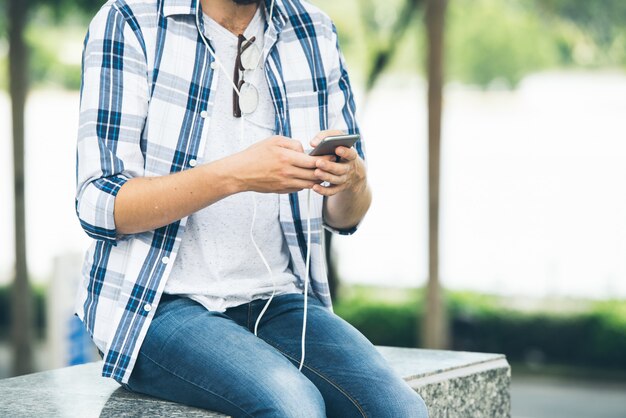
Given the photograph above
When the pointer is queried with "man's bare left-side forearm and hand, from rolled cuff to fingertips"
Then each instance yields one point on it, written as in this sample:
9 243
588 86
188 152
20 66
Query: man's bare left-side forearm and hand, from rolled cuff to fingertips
274 165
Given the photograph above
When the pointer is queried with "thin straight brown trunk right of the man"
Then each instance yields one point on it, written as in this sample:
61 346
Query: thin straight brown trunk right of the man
435 333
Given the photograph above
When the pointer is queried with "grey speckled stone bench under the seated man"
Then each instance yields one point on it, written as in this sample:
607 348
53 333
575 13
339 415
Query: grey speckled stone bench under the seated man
452 383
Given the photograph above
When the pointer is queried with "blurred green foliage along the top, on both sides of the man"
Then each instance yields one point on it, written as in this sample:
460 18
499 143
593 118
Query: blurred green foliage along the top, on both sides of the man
489 42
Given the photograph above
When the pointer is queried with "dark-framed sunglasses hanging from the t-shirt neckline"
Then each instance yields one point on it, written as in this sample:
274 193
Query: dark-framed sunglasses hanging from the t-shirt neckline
246 97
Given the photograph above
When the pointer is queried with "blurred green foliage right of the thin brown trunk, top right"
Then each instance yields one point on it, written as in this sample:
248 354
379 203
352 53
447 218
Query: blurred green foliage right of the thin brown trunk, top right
500 41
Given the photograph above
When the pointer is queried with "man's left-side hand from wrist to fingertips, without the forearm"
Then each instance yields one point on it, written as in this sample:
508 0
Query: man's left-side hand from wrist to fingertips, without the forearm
276 165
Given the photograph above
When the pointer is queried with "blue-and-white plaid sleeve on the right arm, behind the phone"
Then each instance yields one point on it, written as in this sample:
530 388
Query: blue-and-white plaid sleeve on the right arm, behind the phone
342 108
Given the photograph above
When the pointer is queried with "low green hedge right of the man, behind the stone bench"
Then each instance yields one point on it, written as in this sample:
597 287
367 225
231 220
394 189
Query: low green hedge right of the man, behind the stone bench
593 337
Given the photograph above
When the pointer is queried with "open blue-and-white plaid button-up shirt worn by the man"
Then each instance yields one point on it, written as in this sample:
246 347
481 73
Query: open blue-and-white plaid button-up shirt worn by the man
145 110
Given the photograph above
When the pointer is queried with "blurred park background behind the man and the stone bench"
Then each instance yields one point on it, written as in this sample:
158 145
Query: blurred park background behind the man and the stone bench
522 253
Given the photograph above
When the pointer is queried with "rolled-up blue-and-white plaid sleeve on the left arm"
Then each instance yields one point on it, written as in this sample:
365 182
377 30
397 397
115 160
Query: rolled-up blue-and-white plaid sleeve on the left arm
113 108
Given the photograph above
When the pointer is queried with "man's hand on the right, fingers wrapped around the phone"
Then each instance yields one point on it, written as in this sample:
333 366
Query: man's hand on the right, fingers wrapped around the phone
346 174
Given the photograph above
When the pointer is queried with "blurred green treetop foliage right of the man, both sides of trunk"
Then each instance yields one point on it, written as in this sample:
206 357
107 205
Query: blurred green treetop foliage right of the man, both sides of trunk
489 42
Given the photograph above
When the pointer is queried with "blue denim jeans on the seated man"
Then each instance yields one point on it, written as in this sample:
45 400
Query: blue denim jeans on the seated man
214 361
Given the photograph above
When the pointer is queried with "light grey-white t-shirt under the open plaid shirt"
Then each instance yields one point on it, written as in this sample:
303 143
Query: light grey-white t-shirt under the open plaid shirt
217 264
